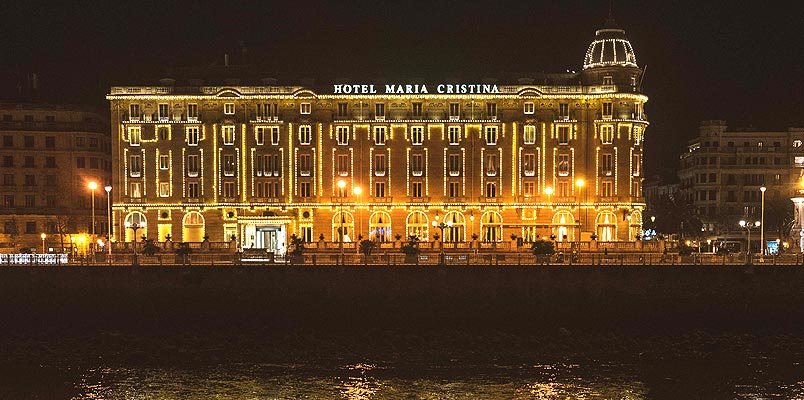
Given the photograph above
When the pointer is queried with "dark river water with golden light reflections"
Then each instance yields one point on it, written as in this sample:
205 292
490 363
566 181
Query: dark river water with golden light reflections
402 364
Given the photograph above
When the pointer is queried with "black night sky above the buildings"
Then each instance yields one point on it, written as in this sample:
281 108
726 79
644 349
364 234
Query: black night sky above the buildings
705 60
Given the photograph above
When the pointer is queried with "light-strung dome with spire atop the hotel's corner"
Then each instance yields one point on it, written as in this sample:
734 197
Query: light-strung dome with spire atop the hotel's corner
610 48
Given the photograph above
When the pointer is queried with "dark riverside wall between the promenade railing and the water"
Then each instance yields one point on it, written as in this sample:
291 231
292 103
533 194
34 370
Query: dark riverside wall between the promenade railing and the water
58 299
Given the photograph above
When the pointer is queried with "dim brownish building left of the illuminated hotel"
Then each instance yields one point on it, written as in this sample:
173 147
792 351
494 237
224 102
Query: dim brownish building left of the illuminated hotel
48 155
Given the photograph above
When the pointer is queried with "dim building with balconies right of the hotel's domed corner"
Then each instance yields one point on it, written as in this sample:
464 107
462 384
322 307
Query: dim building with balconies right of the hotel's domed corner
723 169
